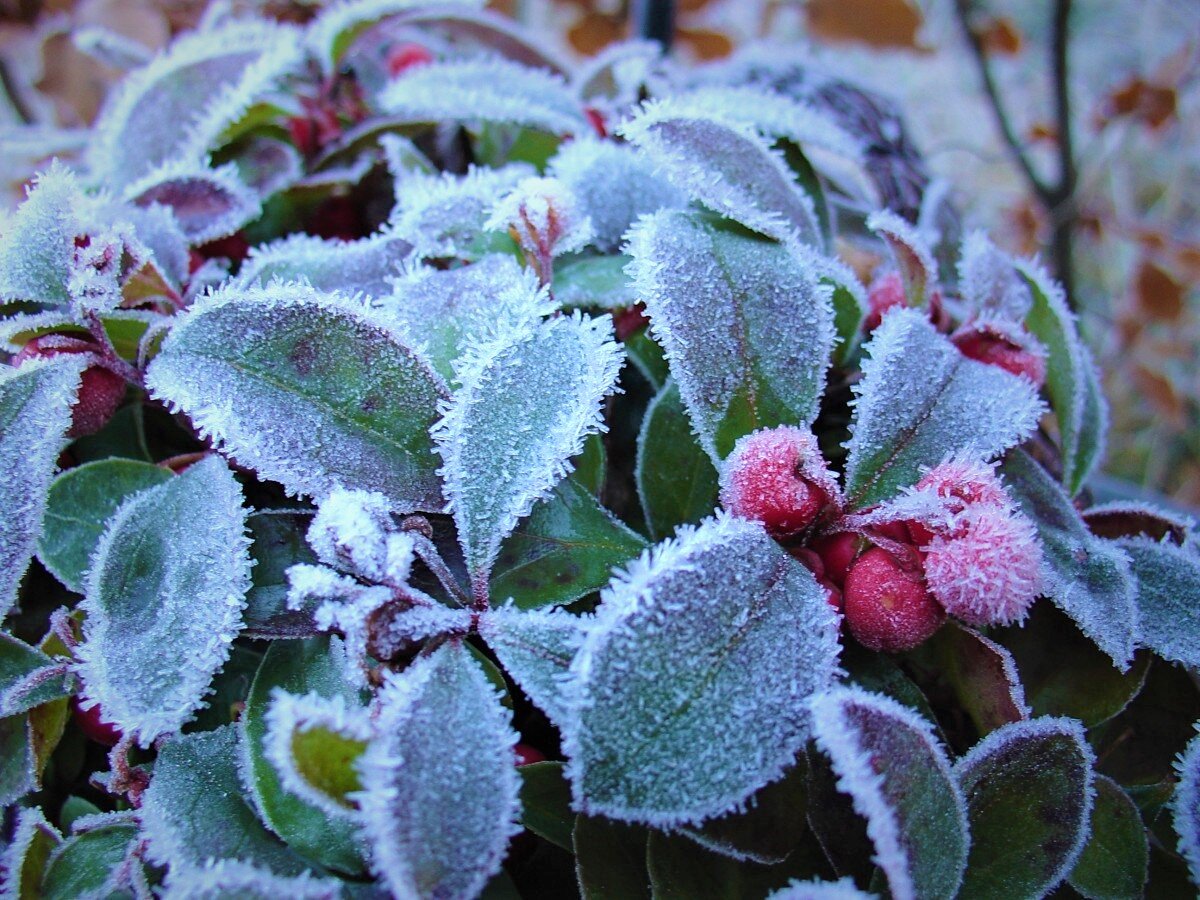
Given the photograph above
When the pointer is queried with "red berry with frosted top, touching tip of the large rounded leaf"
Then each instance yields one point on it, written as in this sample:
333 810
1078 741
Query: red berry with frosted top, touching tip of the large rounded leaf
778 477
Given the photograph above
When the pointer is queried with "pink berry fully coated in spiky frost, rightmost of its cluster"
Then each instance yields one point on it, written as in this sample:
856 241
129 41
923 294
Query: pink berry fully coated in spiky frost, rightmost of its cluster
989 571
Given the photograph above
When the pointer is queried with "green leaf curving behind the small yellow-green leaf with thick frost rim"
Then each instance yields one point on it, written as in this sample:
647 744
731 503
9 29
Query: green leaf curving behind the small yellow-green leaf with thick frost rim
299 668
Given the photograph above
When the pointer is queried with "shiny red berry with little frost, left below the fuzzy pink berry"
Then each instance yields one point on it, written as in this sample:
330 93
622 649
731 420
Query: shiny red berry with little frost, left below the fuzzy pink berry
887 604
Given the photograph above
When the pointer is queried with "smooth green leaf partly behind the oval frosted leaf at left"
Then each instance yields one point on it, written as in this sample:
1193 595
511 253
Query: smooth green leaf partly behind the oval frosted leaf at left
80 502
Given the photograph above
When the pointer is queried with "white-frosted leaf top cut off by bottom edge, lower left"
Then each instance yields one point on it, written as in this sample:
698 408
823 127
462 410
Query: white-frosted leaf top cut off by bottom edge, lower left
238 880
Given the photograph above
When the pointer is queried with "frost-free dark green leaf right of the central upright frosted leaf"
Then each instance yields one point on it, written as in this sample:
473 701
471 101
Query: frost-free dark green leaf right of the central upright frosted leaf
566 549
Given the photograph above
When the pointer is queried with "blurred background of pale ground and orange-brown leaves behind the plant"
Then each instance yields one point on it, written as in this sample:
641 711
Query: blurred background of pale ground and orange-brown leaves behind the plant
1070 129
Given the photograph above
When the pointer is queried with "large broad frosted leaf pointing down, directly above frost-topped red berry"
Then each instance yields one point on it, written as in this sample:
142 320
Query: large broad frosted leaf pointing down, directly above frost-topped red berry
745 325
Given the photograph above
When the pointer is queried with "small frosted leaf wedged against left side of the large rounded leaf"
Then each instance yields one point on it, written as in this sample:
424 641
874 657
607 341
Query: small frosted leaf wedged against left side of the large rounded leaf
536 649
